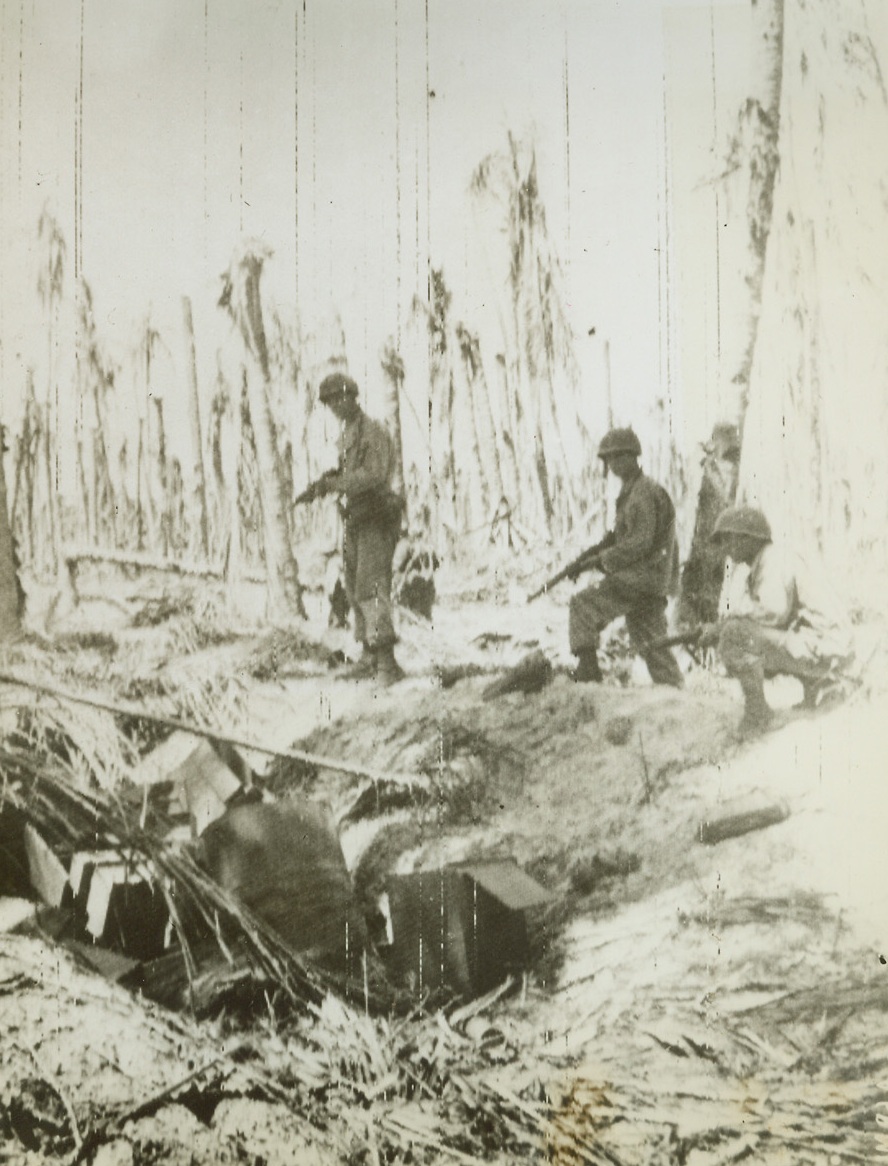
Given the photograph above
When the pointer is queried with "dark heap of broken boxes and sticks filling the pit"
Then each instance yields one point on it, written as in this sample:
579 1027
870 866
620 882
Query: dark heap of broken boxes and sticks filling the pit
193 882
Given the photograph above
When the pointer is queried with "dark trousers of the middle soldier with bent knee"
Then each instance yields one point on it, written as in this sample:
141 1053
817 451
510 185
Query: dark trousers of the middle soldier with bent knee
596 607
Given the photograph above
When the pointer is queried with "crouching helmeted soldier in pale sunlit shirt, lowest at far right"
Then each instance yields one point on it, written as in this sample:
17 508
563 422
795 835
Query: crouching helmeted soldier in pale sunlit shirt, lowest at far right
773 627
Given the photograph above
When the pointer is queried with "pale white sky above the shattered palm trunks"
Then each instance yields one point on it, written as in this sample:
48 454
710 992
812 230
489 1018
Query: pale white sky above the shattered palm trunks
191 142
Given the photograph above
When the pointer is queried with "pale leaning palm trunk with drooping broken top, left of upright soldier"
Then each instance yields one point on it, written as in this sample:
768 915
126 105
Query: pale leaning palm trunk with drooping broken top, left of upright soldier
243 298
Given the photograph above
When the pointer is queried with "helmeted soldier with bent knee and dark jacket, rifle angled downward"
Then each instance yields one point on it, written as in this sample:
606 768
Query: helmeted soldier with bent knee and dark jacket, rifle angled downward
639 560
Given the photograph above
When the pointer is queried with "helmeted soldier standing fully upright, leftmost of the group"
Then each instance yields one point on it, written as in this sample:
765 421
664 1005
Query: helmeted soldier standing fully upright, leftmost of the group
372 514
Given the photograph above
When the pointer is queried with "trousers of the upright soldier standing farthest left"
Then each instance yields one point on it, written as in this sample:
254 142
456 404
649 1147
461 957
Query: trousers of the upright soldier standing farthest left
369 549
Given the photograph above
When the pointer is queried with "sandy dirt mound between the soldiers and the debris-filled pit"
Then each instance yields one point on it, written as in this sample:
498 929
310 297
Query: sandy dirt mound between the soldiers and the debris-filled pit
551 779
